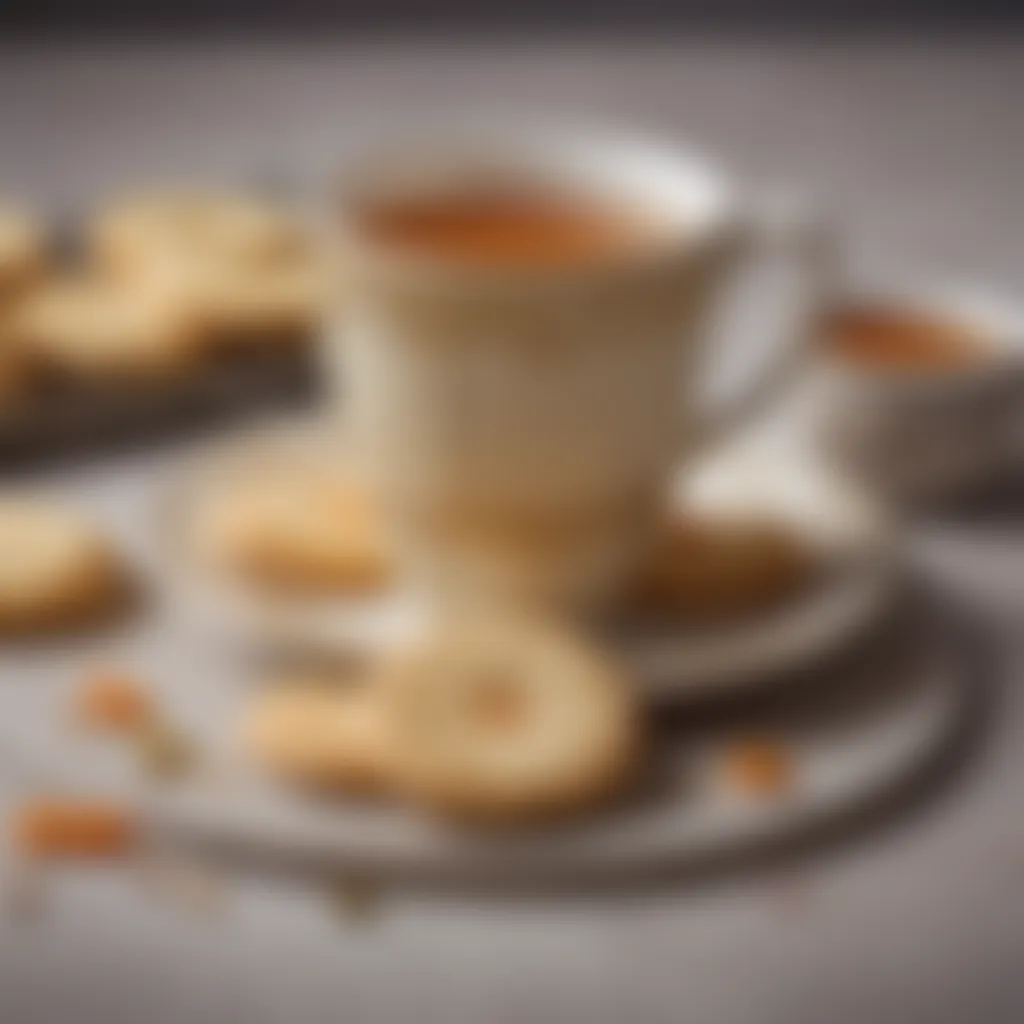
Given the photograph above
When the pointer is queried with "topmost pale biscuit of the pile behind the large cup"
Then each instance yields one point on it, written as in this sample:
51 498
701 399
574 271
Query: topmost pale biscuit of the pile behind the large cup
241 230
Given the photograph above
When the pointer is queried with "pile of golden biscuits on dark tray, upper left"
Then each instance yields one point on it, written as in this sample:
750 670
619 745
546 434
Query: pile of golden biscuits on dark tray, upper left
165 284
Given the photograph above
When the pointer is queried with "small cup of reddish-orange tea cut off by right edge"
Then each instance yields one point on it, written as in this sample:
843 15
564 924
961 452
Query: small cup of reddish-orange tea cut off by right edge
934 419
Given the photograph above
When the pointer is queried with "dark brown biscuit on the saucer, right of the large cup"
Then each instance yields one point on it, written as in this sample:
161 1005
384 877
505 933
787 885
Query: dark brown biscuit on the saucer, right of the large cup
711 569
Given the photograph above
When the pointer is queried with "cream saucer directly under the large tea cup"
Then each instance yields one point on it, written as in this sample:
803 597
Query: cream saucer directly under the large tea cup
849 532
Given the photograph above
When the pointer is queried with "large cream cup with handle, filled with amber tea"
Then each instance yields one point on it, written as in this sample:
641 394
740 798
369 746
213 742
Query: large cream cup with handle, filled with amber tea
523 425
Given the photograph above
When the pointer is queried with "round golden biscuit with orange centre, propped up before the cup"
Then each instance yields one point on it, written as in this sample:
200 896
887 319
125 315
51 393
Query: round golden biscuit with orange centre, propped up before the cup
506 723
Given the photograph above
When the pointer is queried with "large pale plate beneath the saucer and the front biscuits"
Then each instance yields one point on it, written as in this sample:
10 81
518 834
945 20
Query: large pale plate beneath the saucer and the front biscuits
874 727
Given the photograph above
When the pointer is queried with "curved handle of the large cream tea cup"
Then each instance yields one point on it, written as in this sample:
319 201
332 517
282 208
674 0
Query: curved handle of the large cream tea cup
776 229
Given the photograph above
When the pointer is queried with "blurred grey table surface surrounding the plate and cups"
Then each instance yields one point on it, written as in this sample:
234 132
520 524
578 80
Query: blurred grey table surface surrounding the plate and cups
920 150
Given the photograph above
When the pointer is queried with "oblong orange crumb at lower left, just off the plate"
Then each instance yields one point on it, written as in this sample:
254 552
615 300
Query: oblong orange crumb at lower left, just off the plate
64 828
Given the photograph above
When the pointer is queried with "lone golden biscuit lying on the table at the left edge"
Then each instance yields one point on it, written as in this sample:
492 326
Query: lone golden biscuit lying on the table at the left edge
57 571
